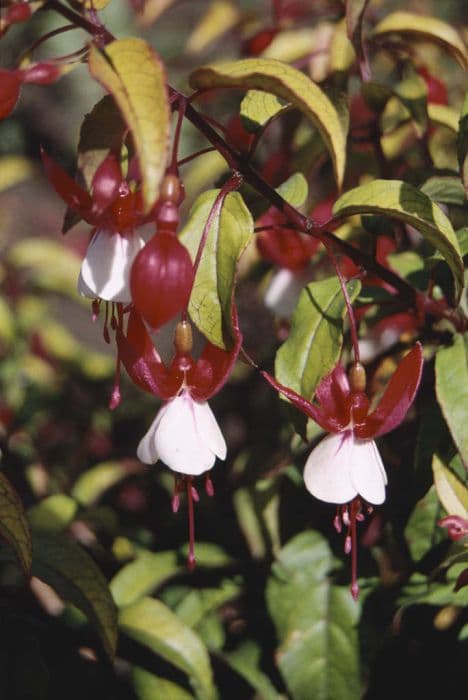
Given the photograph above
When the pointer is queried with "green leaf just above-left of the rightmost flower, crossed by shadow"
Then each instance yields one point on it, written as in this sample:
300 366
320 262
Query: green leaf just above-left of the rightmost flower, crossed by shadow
314 343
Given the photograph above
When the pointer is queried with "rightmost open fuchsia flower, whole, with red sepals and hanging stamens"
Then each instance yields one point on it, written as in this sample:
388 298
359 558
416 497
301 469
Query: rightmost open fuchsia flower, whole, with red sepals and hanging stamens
345 468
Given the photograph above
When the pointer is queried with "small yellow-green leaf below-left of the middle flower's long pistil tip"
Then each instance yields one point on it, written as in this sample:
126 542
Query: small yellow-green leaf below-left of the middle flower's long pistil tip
142 576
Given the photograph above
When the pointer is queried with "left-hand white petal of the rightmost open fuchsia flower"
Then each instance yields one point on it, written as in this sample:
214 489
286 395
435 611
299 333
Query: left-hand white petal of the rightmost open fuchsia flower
327 472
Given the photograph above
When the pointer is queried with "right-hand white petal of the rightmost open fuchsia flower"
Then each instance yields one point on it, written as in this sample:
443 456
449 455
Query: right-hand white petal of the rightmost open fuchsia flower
367 471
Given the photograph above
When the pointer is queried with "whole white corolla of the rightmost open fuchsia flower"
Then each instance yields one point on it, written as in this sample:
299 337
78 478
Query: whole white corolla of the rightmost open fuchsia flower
342 467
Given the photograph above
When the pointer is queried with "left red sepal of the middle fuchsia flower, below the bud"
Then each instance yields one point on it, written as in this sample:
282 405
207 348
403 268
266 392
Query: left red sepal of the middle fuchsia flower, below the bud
142 362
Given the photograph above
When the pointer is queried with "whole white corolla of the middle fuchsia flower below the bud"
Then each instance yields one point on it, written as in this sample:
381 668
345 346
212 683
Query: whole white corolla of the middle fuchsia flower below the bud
185 436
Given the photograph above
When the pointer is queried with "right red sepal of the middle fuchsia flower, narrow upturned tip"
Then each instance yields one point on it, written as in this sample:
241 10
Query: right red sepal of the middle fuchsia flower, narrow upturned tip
214 365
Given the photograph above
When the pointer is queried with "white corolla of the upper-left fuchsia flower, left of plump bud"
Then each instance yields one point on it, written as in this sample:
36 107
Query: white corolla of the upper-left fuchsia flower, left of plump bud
105 270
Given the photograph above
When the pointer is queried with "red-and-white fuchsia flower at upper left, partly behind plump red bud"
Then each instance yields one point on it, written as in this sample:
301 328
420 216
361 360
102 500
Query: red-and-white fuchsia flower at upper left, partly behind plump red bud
115 212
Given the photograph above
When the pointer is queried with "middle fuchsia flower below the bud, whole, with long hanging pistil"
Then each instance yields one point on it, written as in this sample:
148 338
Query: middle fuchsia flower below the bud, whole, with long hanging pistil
184 434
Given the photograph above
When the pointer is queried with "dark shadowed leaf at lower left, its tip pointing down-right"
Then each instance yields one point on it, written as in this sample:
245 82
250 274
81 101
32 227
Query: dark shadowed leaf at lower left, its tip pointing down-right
71 572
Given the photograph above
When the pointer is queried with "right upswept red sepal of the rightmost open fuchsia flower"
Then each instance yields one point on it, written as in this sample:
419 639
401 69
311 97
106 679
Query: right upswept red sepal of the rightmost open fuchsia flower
398 397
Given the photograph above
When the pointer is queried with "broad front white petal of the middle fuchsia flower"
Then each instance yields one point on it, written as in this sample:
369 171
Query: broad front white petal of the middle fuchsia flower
178 441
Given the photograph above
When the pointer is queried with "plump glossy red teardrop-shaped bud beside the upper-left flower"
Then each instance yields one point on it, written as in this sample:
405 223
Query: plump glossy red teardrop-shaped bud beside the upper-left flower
161 279
